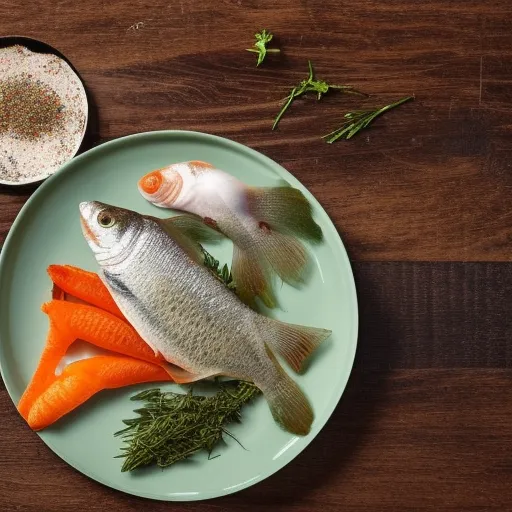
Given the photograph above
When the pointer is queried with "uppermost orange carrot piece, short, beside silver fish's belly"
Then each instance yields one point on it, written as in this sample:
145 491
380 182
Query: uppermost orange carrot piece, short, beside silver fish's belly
84 285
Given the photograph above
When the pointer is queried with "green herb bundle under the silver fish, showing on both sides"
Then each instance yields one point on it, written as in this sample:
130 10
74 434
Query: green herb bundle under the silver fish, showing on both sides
173 426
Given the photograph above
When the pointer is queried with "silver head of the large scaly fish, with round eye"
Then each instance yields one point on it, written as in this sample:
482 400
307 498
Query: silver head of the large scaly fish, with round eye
109 231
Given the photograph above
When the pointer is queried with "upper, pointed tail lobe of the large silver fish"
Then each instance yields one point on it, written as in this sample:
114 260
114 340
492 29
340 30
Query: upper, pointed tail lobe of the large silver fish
295 343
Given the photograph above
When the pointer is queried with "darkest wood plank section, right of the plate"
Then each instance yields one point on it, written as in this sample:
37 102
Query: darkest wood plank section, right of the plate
434 315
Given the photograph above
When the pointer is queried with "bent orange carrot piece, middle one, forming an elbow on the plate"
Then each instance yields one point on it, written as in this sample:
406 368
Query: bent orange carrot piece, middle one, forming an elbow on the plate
70 321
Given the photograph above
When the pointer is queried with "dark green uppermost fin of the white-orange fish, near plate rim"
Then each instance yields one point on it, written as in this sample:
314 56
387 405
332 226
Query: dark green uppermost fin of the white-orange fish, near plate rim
286 210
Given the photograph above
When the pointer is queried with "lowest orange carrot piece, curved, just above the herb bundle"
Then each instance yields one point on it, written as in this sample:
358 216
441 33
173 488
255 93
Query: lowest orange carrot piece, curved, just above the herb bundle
82 379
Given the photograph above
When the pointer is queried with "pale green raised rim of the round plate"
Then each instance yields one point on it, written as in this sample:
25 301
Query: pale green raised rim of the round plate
281 171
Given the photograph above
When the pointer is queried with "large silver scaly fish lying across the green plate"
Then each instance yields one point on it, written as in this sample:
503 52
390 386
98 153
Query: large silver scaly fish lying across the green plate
156 276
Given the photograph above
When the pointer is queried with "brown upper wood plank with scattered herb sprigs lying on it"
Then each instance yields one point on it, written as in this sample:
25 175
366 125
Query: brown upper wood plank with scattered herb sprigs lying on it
430 181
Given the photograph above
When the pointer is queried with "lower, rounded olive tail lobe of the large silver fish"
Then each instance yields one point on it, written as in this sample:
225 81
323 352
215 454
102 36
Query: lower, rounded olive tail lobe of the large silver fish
288 403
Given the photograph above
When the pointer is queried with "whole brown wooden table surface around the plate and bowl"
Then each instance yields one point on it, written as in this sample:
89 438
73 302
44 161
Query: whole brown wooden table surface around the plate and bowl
422 201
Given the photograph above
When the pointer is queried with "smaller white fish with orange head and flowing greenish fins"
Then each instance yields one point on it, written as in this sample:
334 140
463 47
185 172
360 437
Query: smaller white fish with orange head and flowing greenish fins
264 223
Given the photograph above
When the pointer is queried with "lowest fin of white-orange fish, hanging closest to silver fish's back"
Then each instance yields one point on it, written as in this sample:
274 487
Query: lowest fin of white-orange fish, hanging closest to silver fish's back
251 279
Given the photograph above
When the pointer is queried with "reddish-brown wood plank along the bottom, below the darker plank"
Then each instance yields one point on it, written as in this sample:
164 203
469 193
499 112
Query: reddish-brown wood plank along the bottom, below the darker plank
399 440
